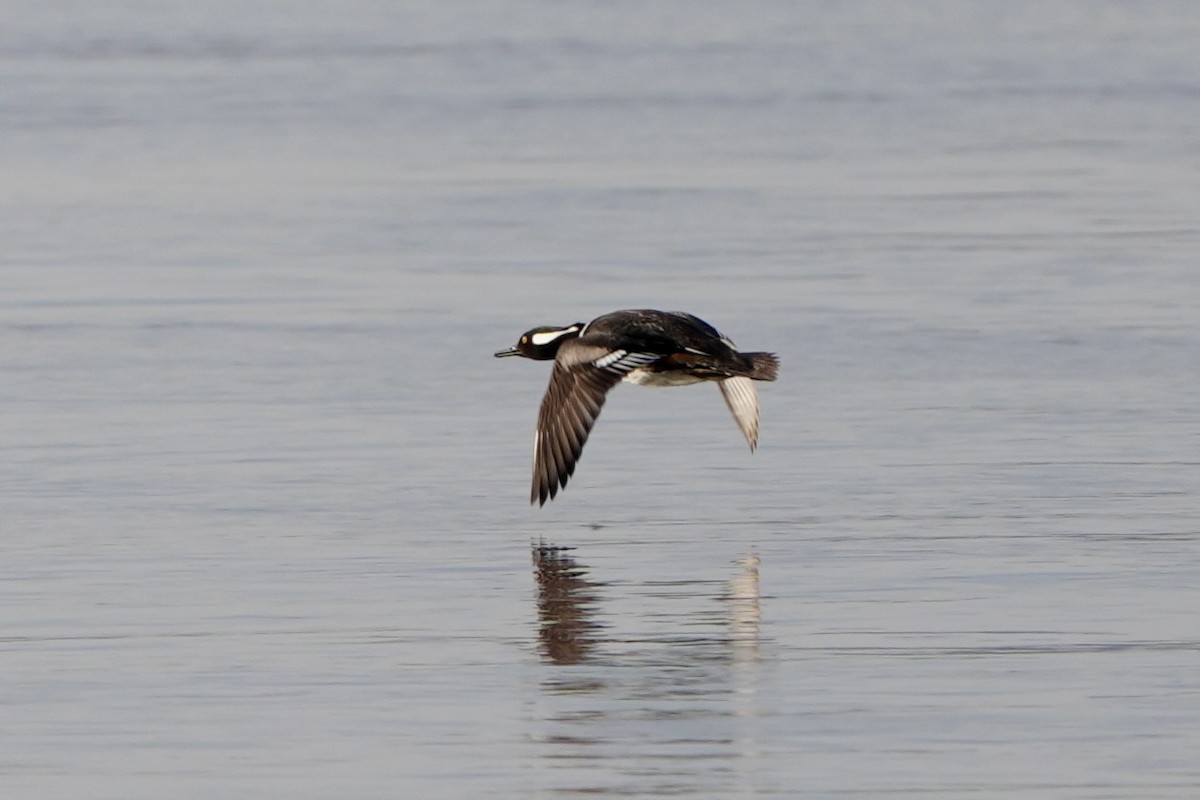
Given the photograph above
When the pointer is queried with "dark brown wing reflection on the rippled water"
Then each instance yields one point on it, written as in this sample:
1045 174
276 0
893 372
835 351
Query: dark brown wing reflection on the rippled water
566 601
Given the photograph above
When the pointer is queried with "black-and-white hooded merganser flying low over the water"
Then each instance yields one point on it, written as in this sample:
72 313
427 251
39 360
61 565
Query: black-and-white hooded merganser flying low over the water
652 348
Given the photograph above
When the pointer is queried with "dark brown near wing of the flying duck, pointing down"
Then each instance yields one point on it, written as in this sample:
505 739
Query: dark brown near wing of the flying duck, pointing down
583 377
